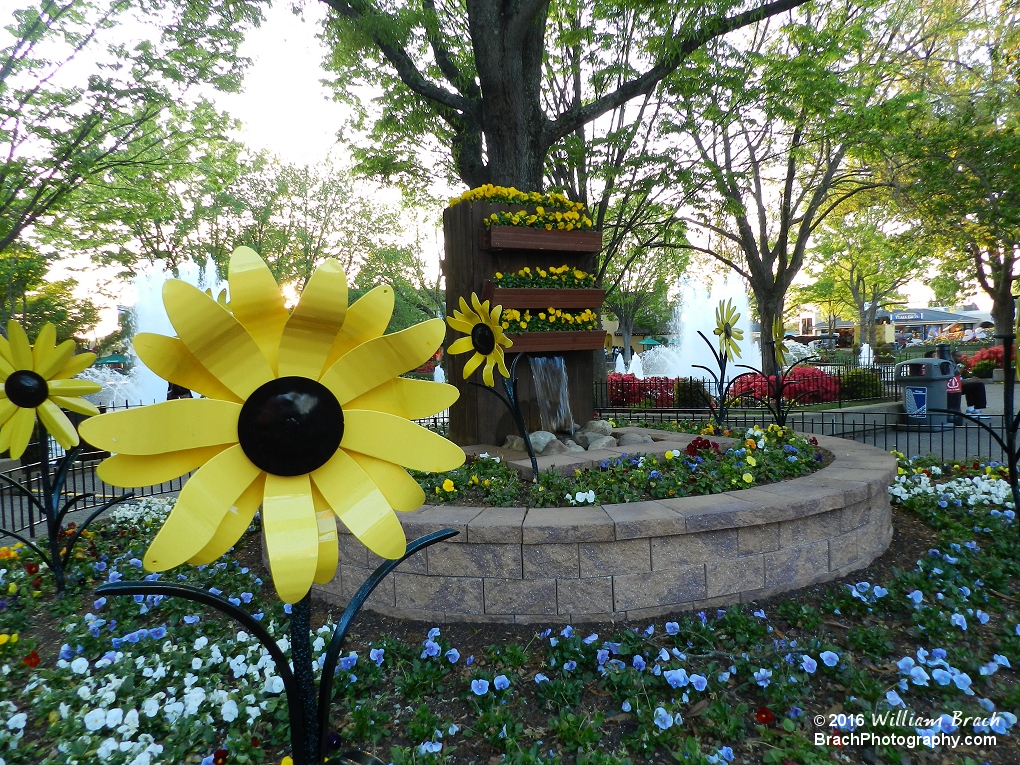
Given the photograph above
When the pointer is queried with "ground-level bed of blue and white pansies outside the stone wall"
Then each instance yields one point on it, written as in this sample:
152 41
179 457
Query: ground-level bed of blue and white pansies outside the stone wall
934 635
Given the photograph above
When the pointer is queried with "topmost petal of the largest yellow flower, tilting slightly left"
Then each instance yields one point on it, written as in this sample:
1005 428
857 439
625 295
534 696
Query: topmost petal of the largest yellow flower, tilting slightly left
258 302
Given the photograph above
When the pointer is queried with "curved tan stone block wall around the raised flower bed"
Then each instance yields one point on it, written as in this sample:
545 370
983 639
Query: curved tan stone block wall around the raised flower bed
636 560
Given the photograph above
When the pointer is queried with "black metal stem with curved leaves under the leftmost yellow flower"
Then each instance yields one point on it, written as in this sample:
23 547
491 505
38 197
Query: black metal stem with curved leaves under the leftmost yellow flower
49 507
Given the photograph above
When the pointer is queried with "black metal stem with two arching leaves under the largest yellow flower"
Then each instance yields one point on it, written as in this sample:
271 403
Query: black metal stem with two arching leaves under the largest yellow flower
309 710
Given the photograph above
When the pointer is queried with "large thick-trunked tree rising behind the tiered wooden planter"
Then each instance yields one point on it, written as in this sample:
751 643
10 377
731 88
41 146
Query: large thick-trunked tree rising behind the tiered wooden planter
467 81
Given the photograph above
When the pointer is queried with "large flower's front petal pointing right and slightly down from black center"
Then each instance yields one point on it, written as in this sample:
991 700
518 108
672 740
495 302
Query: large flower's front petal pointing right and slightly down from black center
395 440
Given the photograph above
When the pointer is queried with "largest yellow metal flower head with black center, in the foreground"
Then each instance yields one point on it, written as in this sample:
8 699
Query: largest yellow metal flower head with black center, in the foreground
304 415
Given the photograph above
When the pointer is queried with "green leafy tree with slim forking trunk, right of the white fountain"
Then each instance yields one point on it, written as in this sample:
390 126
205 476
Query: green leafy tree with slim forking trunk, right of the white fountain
774 123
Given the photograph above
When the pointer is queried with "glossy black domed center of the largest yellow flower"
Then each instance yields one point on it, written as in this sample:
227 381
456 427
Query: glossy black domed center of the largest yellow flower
291 427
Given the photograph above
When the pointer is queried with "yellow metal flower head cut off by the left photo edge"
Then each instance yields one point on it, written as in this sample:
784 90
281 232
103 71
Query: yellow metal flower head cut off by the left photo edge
37 381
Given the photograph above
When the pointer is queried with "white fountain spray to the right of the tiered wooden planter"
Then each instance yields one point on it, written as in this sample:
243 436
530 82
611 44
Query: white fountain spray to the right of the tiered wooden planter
695 313
